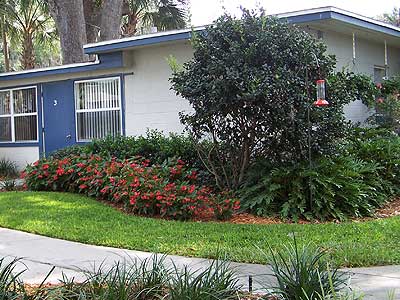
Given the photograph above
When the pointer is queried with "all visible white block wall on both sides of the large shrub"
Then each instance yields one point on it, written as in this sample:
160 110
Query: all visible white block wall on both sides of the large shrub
151 104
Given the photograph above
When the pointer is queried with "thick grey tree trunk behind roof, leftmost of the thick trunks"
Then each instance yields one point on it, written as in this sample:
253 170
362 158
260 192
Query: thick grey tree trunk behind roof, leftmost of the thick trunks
69 18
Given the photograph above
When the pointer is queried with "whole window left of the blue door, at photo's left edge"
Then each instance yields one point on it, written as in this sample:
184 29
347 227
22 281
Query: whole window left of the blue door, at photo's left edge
18 115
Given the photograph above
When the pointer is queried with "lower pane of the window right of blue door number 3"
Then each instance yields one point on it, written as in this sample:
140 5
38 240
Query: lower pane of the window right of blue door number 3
96 125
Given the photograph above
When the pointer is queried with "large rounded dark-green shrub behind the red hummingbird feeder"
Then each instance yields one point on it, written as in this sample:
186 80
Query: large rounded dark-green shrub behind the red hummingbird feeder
250 83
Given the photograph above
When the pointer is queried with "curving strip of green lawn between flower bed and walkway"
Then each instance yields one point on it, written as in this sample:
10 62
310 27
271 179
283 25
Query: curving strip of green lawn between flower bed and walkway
78 218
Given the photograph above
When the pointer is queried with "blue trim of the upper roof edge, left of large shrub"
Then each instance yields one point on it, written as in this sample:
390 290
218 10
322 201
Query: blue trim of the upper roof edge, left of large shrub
119 45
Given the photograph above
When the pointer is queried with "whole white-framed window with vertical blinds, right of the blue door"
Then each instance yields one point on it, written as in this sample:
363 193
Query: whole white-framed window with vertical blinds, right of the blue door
98 108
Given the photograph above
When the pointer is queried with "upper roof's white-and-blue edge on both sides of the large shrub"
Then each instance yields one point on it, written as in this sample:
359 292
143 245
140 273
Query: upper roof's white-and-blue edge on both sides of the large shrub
296 17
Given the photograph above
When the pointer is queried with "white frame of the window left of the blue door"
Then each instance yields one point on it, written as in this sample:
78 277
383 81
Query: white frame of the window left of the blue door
12 115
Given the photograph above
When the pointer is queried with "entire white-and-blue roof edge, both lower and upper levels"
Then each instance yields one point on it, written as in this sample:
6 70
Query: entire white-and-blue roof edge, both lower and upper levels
113 46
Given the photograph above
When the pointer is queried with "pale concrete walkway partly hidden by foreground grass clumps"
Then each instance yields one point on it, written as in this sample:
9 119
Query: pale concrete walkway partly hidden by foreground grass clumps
41 253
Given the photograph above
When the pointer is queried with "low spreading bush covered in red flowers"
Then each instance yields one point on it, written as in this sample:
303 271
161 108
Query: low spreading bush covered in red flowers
167 190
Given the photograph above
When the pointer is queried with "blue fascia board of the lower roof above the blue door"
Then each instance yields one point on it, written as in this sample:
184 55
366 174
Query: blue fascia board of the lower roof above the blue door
106 61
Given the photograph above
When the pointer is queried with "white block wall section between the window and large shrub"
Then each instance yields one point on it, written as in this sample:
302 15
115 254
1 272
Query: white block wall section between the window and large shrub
149 101
